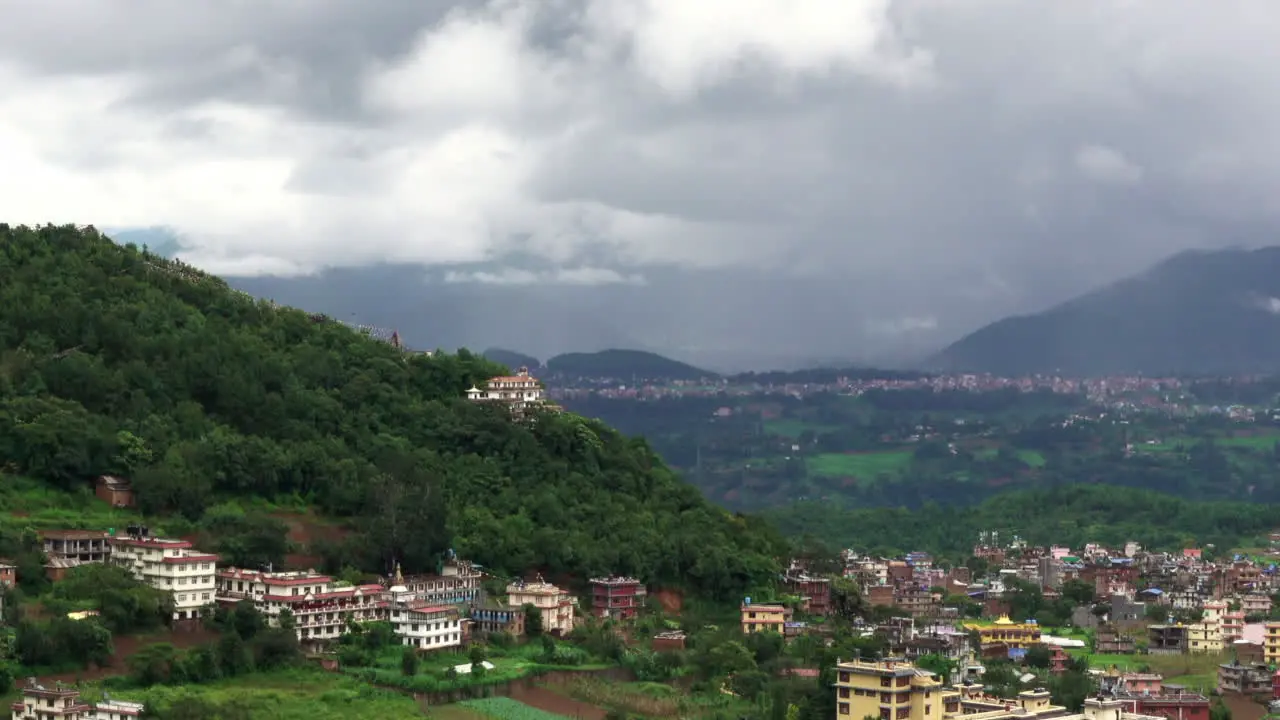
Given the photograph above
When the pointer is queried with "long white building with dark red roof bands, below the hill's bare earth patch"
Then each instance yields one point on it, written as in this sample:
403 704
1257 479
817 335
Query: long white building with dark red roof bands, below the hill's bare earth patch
321 607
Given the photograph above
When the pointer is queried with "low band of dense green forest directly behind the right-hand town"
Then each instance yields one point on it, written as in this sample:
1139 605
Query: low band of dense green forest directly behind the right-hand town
1069 516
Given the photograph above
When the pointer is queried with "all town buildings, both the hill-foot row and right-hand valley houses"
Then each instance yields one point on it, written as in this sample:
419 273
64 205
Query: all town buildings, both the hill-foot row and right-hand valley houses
940 626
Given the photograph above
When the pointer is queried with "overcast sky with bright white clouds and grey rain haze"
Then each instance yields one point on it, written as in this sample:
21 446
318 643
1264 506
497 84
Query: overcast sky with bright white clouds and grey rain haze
717 179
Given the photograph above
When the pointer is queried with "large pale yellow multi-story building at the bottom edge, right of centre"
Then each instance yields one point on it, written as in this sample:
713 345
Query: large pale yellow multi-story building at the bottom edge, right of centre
890 691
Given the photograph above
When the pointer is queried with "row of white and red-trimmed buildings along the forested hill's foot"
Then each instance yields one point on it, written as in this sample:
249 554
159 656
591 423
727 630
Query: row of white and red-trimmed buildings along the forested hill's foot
429 612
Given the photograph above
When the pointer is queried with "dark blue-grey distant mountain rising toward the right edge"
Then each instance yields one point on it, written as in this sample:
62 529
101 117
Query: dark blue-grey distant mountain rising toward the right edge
1196 313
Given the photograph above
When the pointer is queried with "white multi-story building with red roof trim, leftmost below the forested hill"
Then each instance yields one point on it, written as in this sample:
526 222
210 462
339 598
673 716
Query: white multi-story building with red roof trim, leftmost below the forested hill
170 566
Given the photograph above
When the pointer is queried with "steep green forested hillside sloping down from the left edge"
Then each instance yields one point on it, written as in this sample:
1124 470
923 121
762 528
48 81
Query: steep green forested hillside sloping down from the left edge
113 361
